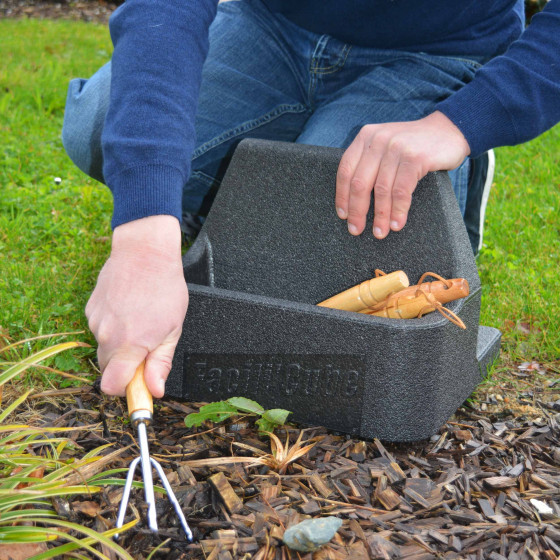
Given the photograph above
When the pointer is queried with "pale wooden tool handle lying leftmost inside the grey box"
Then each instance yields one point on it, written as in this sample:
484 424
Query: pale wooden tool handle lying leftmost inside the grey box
368 293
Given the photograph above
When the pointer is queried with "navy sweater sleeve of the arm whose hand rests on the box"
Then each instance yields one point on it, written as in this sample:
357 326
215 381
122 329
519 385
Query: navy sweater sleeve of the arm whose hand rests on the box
516 96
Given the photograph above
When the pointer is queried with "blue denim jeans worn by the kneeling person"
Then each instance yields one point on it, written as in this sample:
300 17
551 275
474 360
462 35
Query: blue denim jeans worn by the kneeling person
268 78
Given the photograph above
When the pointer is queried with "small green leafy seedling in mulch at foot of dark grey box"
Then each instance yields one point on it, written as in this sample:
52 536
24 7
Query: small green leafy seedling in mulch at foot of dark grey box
235 406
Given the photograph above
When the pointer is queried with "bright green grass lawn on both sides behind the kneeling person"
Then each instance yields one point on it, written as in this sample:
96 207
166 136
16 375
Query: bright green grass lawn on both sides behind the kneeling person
54 238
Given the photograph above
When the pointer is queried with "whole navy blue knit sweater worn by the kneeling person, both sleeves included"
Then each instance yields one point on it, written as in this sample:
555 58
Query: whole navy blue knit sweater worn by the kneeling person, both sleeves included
149 132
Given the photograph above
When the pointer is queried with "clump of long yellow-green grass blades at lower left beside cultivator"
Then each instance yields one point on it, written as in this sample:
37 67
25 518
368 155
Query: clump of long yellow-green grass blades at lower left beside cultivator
38 465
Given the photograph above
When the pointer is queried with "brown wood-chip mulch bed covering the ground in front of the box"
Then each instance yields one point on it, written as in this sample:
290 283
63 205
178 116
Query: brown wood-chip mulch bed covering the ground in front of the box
466 493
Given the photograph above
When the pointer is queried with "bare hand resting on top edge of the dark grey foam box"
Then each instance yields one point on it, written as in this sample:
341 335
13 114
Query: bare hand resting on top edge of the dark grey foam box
390 159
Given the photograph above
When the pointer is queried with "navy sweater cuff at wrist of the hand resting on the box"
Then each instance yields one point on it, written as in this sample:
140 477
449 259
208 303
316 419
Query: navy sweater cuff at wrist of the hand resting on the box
481 117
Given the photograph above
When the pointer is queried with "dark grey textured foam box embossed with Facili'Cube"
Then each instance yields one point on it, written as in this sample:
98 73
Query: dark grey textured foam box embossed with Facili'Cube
270 249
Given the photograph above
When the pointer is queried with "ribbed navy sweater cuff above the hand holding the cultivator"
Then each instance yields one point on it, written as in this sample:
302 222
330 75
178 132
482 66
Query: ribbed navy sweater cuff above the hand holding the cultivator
146 190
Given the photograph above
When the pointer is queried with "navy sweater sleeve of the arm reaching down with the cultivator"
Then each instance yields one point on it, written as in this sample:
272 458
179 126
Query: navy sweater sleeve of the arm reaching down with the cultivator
149 132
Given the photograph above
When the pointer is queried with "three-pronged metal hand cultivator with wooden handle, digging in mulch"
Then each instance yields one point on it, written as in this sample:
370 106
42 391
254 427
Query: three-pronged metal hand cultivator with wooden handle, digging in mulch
140 410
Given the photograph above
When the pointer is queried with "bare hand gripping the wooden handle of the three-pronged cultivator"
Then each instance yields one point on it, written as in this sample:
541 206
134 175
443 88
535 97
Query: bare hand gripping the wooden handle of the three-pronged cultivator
137 309
